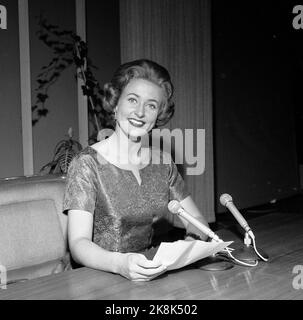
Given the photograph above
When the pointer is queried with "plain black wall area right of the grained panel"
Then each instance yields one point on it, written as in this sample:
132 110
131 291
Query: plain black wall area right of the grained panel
255 146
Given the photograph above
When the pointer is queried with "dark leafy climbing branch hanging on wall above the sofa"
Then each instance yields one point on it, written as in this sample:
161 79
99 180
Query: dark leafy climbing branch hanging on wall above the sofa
68 50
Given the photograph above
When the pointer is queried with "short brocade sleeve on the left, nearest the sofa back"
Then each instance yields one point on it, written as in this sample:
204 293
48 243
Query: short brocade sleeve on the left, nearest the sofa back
80 190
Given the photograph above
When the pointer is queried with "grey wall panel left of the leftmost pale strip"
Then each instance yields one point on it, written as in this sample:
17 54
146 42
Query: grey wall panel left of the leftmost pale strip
11 159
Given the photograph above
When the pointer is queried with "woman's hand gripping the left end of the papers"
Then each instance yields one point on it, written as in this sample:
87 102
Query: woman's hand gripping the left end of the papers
136 267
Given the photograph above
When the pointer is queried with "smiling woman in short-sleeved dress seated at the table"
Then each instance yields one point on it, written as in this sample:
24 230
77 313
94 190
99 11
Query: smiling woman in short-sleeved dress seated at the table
115 190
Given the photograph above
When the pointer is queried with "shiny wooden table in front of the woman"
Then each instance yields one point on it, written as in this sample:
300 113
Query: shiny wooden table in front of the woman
278 234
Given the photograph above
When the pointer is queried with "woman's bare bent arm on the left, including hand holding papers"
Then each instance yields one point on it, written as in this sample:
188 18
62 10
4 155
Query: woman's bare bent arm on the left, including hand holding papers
130 265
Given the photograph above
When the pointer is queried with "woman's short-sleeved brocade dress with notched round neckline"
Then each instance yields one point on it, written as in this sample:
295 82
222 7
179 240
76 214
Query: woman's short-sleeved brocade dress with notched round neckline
124 211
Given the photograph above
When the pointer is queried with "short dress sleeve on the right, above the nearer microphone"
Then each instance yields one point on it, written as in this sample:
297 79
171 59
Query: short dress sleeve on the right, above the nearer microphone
177 188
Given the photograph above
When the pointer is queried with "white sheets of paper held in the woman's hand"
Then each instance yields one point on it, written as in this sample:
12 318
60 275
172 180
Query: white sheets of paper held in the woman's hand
180 253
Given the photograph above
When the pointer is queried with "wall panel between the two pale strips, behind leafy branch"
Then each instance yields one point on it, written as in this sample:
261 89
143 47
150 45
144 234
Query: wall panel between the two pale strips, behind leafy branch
62 102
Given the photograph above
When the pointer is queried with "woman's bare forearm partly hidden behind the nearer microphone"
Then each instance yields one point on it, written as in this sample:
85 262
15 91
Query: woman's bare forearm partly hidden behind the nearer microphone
189 206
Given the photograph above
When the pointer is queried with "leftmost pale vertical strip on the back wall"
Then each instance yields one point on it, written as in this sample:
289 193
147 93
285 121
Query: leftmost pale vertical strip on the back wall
25 84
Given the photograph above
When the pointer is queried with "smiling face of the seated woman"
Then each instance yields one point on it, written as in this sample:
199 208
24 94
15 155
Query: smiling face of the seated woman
138 107
